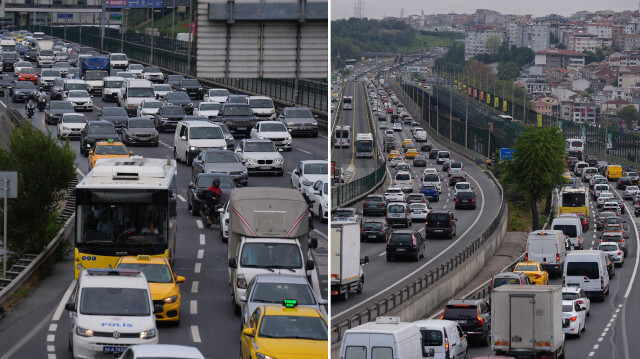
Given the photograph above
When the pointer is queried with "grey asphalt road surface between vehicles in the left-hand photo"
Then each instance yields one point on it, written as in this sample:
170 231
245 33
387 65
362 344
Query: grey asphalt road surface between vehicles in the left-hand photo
208 322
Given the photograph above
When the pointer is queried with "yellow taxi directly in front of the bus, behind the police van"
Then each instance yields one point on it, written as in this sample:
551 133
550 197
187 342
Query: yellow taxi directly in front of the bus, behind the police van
163 283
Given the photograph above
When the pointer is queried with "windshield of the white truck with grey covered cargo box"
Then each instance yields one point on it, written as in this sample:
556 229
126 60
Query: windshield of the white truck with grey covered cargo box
271 255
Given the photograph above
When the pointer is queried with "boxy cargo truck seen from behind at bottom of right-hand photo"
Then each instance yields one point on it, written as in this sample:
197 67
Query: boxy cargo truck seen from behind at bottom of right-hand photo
526 321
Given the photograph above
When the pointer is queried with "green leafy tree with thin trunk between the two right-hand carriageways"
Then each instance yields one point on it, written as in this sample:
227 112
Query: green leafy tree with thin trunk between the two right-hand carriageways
537 166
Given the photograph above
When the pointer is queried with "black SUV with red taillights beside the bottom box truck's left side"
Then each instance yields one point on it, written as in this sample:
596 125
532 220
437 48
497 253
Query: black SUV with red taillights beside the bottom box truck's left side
473 316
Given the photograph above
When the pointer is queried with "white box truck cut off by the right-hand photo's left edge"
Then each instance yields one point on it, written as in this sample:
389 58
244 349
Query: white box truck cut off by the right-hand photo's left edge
346 266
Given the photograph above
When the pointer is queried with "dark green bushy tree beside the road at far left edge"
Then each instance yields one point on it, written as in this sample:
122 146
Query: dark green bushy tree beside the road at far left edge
45 170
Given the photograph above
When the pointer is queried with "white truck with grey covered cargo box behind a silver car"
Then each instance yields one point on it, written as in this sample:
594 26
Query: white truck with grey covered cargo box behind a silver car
268 233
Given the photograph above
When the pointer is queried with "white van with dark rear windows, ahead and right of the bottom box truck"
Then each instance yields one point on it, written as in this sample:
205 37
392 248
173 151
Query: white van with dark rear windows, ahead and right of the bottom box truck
587 269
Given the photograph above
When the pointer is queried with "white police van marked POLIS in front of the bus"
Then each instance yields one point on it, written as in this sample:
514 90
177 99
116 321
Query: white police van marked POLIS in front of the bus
116 304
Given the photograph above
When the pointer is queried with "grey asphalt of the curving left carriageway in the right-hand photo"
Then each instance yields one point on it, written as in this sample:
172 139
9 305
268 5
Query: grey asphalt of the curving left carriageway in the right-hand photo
382 277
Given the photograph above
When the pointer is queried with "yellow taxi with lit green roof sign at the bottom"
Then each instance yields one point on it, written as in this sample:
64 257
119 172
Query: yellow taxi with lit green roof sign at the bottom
285 332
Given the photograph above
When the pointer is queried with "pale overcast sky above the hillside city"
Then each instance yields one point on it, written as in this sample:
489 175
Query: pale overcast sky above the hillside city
376 9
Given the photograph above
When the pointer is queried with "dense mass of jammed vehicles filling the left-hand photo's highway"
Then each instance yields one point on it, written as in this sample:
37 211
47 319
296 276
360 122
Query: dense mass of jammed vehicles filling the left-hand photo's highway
149 144
